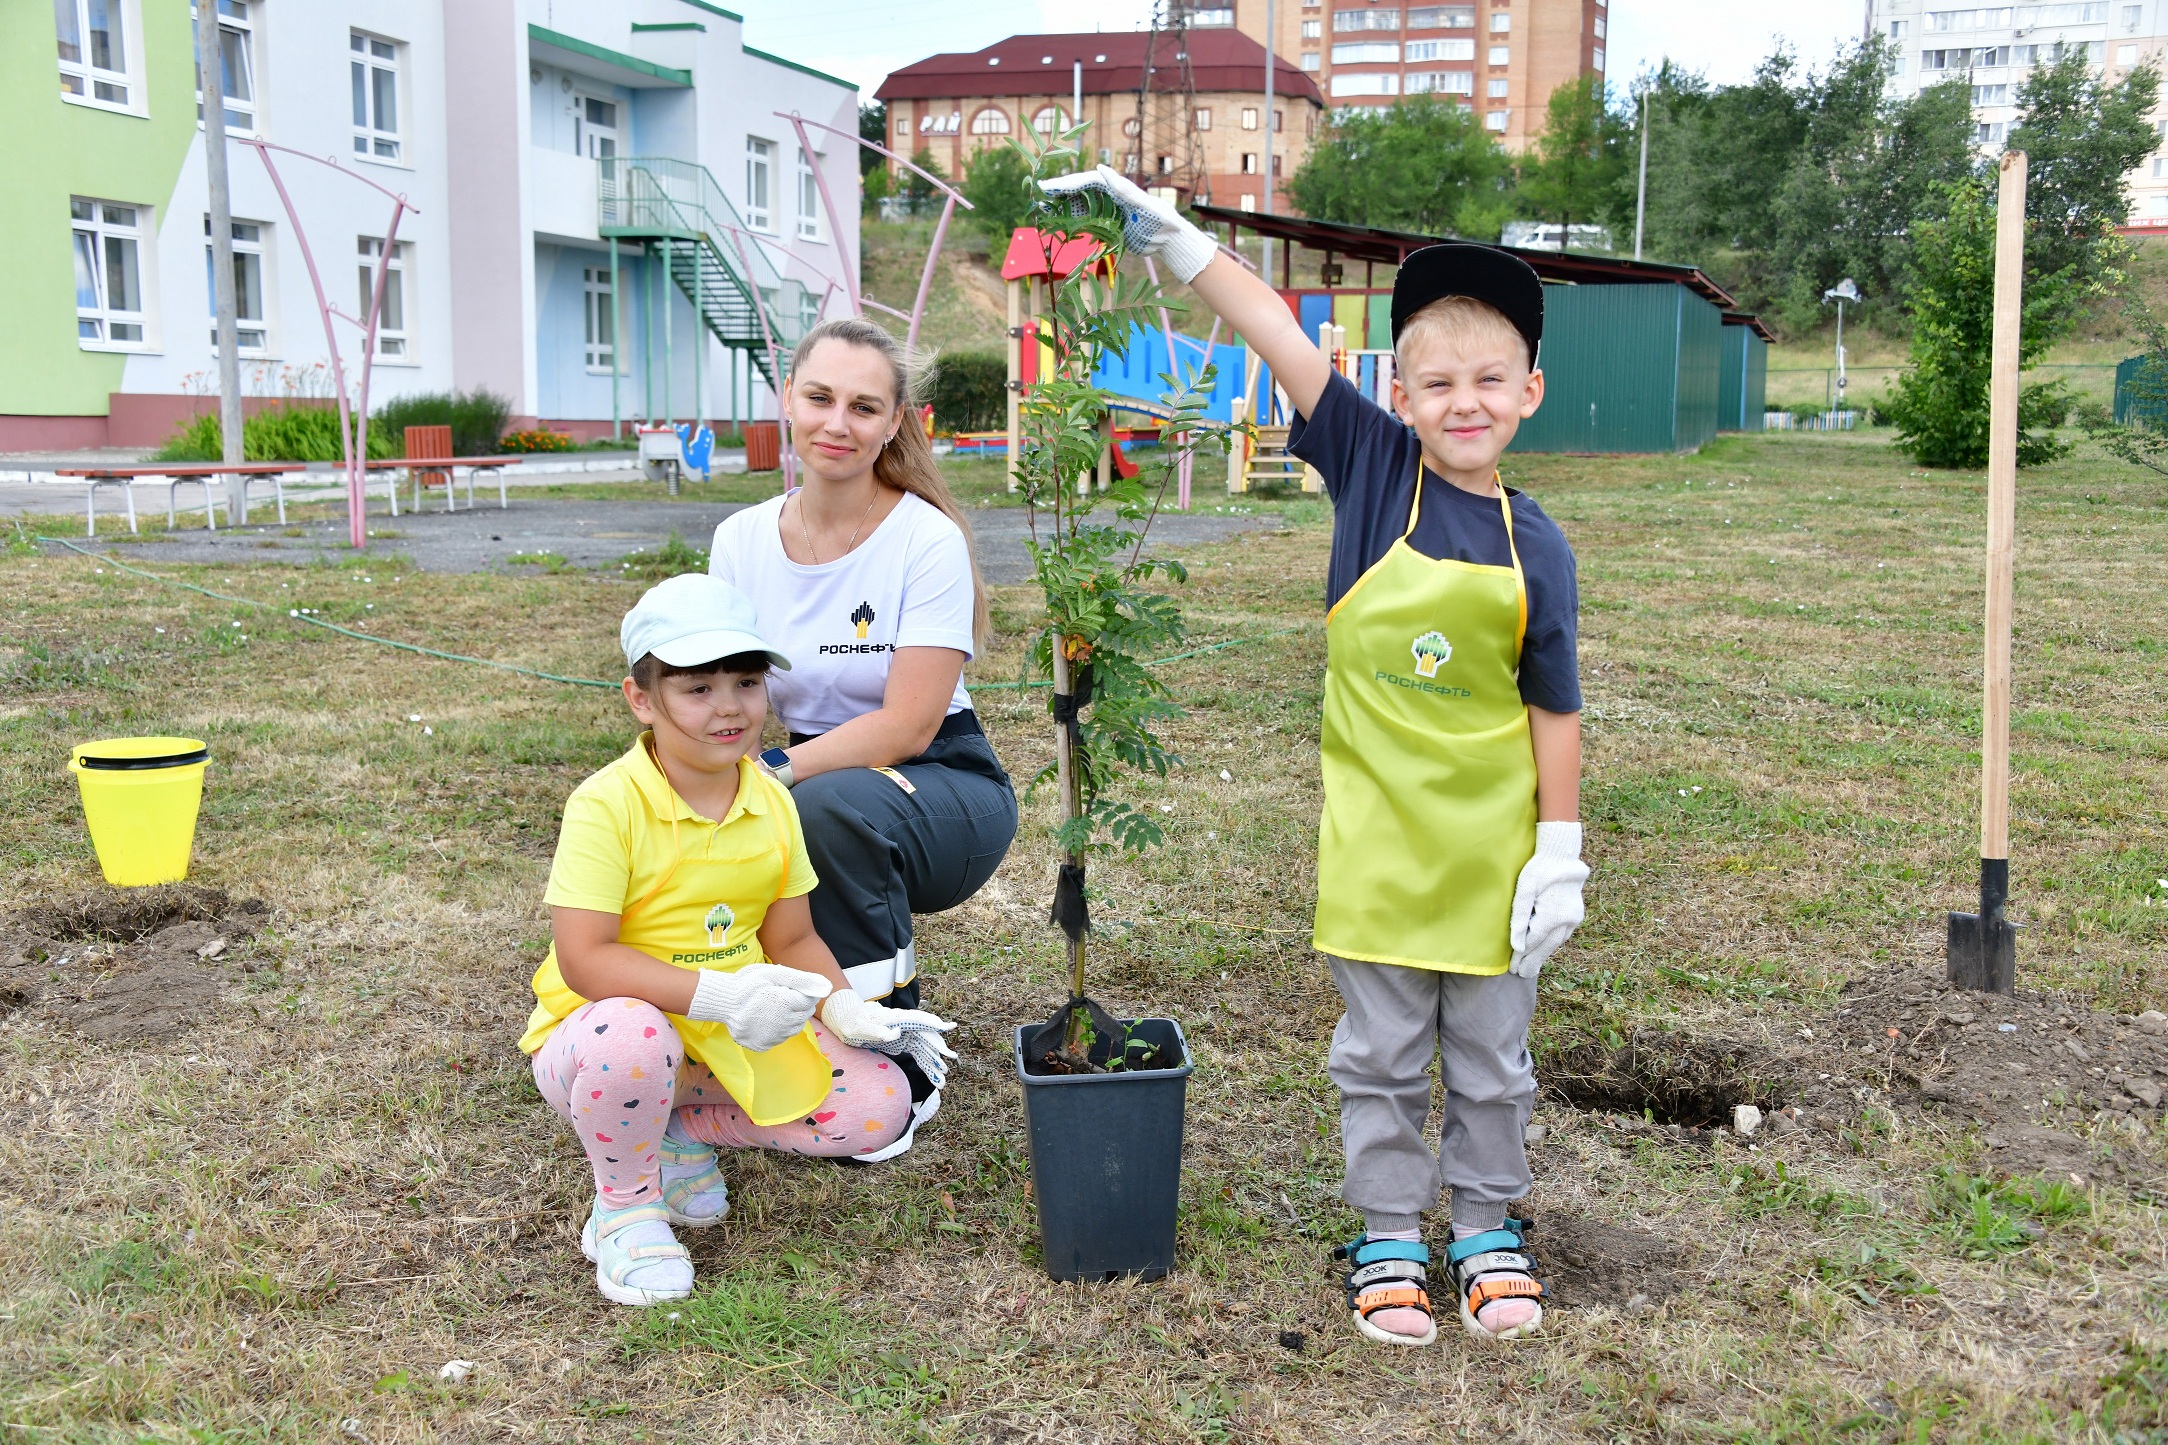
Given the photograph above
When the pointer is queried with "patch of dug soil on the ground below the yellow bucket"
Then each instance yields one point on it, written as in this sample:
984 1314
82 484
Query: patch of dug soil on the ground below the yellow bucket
129 967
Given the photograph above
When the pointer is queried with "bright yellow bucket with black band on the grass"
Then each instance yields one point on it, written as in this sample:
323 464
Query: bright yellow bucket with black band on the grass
140 796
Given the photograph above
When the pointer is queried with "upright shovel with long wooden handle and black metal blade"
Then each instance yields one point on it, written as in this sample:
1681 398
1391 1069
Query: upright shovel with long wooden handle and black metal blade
1985 946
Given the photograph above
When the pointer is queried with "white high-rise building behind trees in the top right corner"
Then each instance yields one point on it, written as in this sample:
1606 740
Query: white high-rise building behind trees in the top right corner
1993 47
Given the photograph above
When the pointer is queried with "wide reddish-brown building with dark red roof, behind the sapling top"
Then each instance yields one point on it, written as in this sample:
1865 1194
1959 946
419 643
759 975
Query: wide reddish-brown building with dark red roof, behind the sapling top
959 105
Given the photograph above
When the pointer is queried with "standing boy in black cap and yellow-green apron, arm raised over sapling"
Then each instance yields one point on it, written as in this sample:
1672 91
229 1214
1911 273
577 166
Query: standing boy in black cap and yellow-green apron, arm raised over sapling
1449 855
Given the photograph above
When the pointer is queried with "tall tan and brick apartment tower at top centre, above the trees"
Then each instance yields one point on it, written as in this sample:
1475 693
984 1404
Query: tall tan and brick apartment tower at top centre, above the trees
1501 57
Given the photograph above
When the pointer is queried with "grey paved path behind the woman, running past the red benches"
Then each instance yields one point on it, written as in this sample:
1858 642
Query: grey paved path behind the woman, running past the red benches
586 534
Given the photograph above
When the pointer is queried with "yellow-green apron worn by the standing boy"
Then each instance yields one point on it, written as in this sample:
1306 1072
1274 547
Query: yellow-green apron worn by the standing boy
1430 774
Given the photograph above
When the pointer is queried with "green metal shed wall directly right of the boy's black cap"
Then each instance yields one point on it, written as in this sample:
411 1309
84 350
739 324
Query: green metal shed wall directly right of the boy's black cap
1627 369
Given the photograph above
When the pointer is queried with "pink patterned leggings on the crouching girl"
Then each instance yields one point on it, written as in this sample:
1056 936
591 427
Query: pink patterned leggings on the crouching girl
617 1071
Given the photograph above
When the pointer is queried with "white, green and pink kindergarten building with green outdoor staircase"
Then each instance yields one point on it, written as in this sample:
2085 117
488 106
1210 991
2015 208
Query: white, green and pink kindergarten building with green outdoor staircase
608 209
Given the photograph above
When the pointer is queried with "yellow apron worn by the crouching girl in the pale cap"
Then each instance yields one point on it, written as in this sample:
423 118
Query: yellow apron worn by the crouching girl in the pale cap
773 1089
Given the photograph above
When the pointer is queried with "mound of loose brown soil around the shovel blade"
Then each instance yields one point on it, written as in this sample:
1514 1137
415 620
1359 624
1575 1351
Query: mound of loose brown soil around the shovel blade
2030 1069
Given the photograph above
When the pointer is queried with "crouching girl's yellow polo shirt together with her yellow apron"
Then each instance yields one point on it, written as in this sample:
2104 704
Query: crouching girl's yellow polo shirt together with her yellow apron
695 894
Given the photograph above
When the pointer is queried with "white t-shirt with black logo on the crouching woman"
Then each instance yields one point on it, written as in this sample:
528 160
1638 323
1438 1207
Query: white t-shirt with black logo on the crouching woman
840 623
